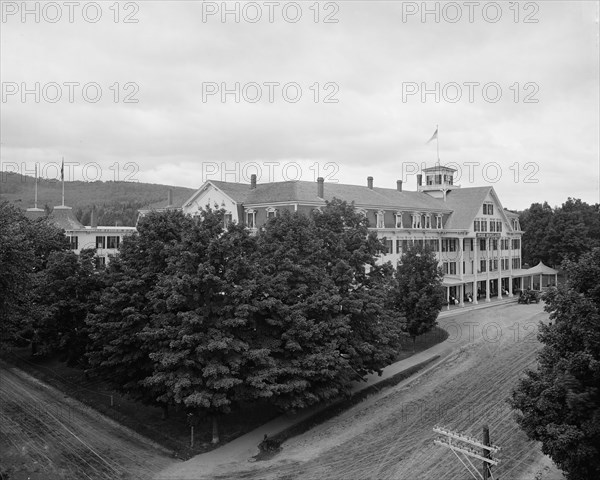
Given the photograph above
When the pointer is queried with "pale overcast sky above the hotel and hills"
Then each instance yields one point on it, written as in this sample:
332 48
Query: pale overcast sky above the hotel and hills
168 92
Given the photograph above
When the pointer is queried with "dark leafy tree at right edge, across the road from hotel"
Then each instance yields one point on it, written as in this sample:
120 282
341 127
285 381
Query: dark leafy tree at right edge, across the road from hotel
559 402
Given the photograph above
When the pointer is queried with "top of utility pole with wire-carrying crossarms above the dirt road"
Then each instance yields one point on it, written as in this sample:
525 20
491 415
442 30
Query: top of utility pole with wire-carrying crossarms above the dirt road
461 444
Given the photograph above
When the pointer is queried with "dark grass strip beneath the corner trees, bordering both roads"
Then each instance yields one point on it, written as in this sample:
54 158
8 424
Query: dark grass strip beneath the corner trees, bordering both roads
174 432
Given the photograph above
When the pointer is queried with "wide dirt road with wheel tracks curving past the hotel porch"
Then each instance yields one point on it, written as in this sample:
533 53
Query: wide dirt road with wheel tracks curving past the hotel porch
390 435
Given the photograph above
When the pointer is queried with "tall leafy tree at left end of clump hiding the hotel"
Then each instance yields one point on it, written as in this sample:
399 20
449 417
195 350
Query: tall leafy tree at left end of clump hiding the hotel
117 352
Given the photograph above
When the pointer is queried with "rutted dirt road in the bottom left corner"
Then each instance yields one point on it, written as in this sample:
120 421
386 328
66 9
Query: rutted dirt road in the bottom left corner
44 435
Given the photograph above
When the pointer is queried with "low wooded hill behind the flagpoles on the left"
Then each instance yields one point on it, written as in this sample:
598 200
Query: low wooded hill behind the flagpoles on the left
116 202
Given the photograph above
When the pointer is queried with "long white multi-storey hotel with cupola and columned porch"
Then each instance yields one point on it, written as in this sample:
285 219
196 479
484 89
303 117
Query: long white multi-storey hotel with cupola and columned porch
477 242
